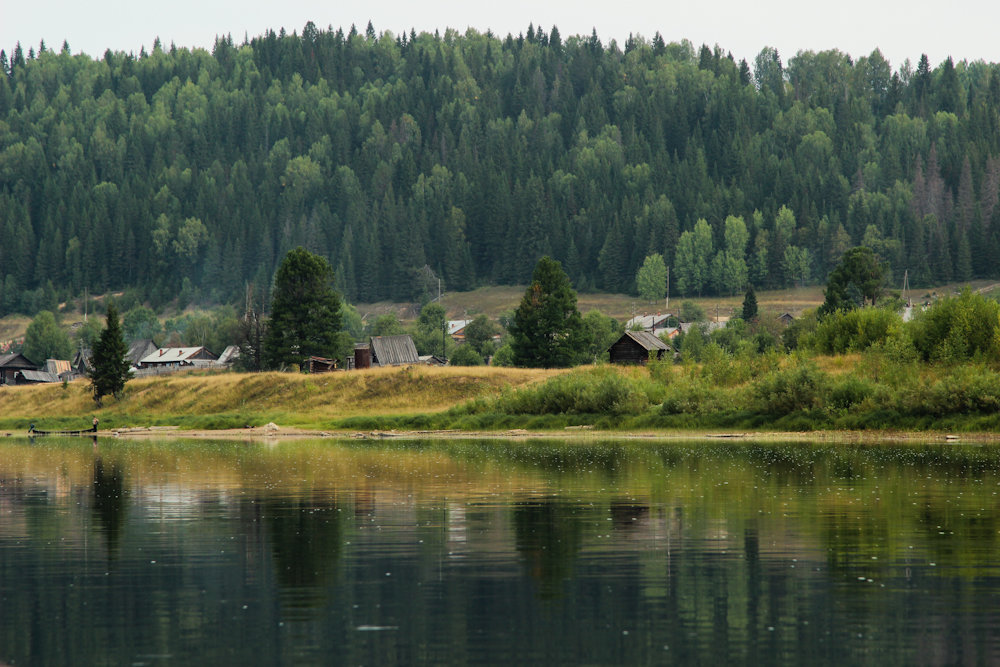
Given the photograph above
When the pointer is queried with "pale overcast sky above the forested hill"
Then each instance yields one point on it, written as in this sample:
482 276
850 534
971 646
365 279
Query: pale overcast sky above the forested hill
900 29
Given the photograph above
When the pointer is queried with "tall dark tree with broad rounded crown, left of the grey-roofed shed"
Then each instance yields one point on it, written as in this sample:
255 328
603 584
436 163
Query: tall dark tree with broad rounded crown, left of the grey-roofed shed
305 312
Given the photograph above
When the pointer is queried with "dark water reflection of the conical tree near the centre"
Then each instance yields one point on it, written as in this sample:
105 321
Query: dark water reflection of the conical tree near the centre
548 535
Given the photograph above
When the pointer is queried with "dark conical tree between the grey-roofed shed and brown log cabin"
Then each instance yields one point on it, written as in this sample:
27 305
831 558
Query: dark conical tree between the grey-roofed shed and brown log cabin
547 330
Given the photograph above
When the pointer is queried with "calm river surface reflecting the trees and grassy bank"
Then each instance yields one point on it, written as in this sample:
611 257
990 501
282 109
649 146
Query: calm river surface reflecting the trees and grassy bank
497 552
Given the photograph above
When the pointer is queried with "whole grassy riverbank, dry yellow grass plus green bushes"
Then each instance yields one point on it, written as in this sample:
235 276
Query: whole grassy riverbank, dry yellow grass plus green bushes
769 392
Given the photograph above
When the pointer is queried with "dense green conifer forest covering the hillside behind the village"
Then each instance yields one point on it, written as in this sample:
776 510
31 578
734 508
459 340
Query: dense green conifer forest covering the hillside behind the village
466 157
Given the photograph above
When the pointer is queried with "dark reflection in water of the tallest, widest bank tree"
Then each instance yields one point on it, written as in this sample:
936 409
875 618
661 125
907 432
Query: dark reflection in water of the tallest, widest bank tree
306 538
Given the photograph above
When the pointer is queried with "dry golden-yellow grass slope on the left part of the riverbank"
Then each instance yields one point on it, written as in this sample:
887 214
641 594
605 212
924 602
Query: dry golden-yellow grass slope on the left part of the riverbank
233 400
